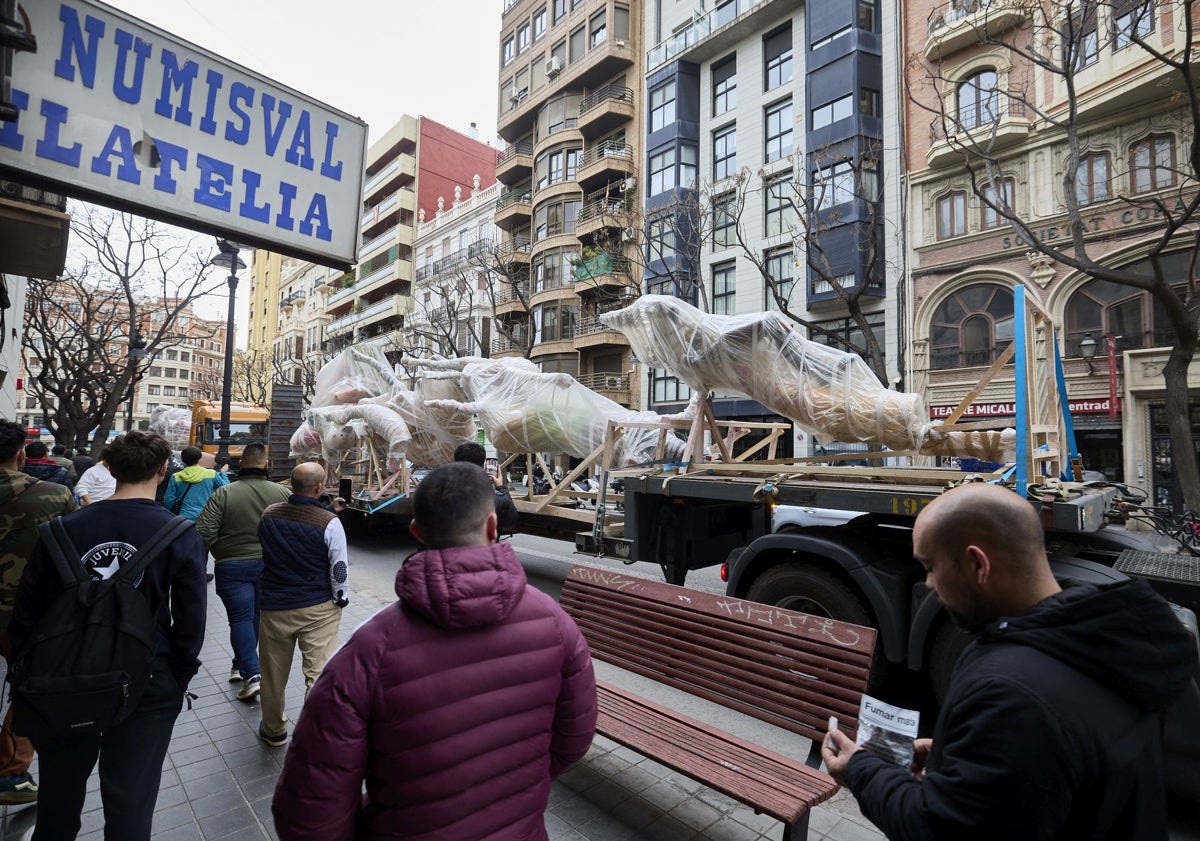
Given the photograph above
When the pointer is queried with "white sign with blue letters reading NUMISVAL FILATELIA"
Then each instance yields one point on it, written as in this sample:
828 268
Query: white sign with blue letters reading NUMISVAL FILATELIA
116 111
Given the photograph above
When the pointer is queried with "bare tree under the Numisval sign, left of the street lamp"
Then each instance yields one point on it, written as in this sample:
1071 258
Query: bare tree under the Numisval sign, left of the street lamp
88 338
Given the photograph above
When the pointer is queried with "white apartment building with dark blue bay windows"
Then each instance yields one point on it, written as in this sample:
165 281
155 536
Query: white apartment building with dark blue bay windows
766 140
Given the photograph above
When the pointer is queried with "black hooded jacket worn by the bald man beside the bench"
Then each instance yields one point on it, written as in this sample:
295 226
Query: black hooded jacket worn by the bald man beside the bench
1052 728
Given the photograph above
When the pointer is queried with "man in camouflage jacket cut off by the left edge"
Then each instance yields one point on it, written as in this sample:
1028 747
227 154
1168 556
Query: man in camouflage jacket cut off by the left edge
26 503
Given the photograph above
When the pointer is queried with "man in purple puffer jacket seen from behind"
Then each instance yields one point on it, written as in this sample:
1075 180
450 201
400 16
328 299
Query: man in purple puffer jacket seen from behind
458 706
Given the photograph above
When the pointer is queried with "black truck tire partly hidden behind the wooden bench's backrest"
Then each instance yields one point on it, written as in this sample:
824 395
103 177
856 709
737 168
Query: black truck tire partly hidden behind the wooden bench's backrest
797 587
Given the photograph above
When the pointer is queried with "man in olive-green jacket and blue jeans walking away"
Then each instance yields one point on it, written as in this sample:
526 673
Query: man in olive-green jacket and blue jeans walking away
230 528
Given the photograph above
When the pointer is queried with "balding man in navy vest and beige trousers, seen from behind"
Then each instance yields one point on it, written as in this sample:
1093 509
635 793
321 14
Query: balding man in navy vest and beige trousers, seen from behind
305 587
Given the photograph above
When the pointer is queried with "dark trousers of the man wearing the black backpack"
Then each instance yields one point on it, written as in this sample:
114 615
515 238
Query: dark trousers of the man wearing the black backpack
131 758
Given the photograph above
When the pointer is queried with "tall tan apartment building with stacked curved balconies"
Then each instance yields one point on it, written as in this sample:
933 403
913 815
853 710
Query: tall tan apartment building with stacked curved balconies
571 112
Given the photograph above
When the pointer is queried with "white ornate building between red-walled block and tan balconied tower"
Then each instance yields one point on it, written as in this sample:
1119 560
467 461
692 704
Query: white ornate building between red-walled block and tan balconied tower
457 280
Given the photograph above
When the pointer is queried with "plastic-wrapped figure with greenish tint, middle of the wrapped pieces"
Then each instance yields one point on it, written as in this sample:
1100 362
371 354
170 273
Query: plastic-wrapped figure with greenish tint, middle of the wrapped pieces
526 411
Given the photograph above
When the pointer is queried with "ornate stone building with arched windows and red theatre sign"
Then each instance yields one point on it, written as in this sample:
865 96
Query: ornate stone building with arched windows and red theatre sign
977 100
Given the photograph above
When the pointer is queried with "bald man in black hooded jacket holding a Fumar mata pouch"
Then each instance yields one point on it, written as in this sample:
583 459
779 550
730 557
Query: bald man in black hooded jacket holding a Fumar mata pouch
1052 728
